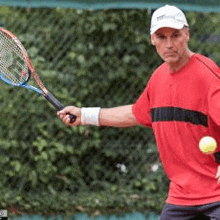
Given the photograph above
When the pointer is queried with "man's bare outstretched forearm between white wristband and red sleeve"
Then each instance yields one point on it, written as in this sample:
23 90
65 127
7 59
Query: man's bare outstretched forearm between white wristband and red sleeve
117 117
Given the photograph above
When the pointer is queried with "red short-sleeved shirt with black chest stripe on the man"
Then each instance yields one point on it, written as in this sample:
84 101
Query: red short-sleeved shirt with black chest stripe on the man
183 107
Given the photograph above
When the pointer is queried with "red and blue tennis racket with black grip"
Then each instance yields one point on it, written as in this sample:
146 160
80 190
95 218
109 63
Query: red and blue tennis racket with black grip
16 68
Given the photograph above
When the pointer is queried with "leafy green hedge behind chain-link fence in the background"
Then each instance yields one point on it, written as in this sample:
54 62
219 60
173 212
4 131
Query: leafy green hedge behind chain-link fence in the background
86 58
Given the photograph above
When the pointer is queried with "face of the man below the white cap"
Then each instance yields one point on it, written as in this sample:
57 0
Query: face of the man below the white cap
171 44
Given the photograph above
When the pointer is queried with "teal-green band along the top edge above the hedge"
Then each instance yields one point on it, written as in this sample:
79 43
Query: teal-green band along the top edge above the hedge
189 5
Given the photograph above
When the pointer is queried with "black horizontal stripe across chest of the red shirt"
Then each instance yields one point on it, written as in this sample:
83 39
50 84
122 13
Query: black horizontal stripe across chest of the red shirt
178 114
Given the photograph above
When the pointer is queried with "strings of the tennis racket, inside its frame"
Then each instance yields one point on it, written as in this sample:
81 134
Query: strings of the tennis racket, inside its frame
12 63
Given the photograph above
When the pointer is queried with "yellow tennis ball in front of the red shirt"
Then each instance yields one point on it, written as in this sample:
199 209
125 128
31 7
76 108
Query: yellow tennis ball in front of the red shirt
207 145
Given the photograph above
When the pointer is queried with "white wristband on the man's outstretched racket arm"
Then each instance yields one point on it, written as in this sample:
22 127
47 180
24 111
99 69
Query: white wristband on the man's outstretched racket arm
90 116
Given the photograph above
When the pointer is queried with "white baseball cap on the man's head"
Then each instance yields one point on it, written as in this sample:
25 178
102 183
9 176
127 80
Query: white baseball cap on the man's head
168 16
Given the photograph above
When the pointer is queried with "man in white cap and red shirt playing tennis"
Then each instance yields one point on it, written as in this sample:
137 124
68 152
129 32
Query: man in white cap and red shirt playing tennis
181 102
